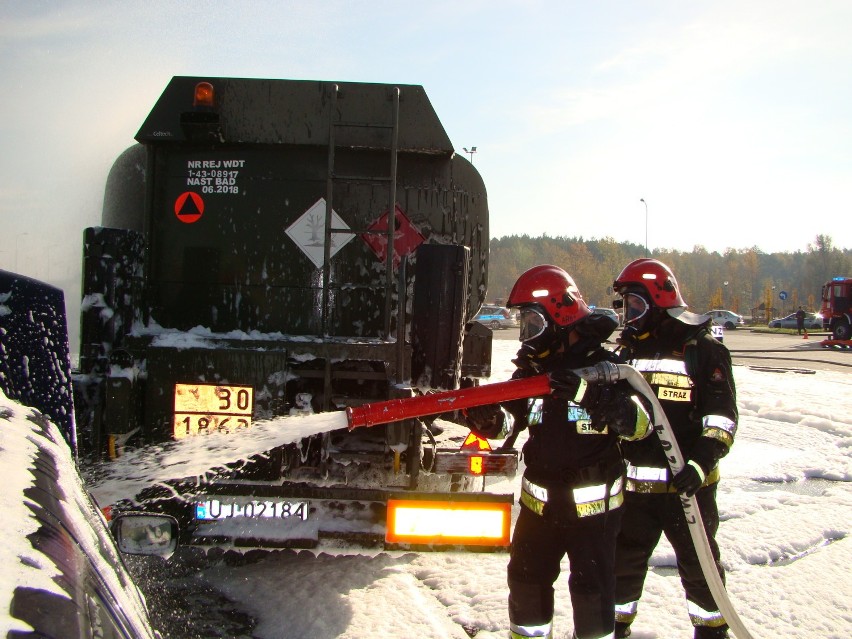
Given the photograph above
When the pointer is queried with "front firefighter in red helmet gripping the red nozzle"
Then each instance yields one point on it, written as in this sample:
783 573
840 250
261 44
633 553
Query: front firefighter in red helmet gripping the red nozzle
571 491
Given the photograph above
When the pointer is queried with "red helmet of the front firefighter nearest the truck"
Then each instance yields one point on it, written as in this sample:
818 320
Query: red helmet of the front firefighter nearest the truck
552 290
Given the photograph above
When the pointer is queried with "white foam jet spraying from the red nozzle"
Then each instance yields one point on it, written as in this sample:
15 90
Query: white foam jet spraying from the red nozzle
141 468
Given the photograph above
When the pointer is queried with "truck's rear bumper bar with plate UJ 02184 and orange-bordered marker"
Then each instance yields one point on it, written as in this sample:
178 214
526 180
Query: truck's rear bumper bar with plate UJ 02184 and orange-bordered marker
302 516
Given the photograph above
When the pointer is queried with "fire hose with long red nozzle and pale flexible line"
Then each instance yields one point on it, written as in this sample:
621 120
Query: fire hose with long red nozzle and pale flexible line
539 385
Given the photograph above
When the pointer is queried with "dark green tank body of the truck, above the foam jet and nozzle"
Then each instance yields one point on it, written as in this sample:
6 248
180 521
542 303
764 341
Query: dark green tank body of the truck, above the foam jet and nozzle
218 261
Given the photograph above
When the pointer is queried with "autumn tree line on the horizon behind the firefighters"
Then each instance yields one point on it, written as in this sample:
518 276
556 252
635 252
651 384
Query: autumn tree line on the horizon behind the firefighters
746 281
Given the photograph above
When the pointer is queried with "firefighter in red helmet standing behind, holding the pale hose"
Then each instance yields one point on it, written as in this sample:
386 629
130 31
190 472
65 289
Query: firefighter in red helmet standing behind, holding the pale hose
690 373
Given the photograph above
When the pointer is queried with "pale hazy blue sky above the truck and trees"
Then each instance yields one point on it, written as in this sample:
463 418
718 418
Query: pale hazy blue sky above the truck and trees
731 119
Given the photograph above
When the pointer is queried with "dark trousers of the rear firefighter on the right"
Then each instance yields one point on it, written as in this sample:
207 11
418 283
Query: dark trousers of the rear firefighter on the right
646 517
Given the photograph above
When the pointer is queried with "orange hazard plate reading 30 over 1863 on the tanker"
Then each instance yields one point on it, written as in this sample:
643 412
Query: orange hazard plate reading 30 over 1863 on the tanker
205 408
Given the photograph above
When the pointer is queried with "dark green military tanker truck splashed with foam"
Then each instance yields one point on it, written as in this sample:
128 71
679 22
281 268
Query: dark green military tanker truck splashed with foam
277 247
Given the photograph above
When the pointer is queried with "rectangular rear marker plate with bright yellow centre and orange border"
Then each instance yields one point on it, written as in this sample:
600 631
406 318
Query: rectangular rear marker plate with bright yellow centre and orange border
448 523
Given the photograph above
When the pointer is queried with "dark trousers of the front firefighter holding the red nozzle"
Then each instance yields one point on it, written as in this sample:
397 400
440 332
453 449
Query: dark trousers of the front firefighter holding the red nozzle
538 546
